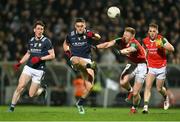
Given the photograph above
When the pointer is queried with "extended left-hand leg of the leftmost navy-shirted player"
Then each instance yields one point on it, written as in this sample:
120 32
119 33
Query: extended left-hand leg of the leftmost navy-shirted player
23 80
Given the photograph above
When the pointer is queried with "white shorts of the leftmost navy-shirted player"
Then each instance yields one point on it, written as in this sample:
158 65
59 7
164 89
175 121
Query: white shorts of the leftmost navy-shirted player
36 75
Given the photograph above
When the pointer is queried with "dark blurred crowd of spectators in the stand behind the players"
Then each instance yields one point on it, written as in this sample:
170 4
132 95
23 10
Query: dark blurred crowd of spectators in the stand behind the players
18 16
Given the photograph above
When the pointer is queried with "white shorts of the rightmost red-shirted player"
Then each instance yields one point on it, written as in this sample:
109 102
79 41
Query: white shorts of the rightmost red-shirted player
160 73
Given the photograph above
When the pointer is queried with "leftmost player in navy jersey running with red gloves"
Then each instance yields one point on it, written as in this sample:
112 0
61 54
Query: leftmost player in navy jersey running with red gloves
40 50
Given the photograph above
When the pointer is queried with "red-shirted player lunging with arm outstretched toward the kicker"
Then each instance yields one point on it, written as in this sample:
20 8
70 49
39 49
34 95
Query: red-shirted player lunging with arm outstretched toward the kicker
135 68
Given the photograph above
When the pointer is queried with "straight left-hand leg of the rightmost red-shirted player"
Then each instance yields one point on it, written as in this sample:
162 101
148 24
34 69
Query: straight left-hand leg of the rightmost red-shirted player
147 91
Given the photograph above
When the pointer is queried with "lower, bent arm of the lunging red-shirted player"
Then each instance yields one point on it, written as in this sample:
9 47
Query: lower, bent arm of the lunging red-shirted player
131 49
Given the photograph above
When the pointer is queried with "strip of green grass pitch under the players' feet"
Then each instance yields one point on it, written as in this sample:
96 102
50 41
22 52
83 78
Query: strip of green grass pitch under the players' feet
40 113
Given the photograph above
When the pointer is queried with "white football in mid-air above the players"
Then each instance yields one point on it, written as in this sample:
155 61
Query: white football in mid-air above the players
113 12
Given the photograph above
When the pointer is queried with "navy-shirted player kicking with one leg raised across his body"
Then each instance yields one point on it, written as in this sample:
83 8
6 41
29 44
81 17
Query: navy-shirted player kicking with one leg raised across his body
77 46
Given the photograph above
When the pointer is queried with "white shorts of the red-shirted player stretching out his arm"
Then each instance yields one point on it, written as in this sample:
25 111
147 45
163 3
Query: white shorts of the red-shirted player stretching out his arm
138 71
